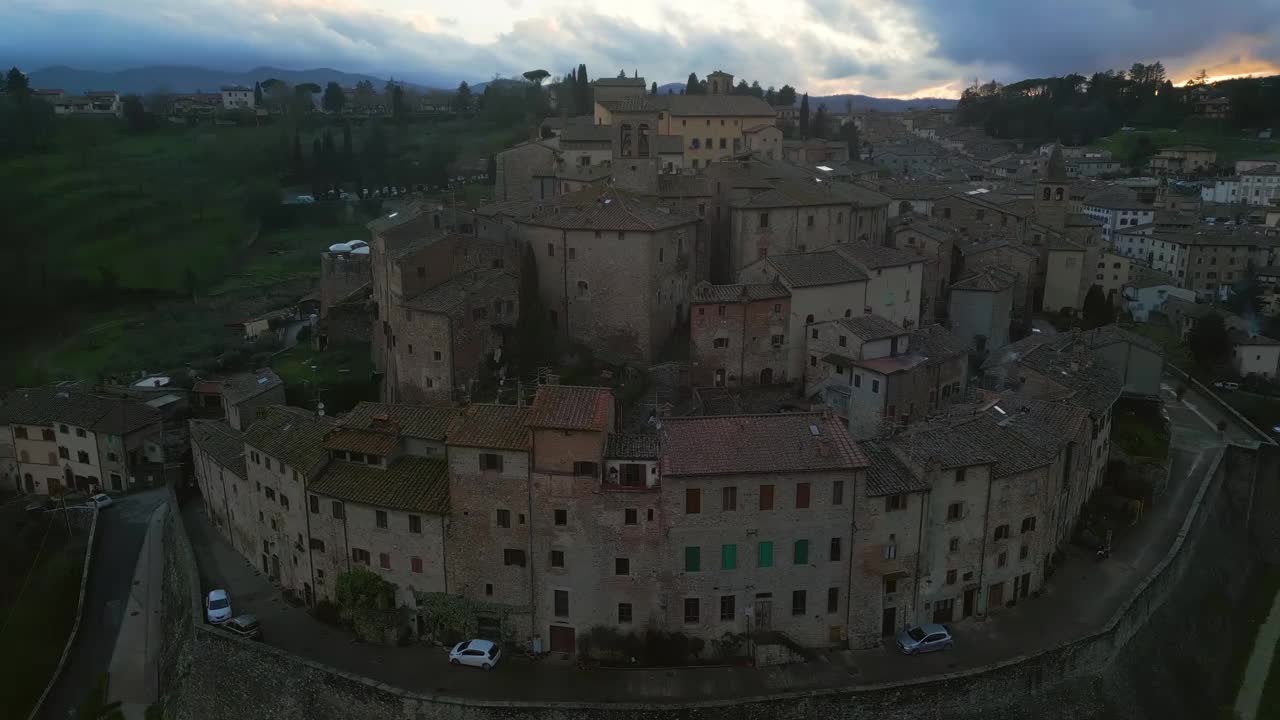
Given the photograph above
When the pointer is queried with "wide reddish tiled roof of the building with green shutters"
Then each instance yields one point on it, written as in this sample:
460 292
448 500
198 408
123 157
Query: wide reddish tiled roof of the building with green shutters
784 443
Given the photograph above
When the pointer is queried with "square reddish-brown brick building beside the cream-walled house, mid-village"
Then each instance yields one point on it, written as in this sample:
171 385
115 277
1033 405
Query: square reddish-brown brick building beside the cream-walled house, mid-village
739 335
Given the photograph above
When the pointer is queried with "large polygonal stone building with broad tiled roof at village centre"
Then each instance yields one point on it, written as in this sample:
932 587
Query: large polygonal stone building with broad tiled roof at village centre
615 271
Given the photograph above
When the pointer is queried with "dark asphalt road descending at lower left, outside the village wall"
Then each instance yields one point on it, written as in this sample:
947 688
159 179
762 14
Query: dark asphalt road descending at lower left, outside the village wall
121 530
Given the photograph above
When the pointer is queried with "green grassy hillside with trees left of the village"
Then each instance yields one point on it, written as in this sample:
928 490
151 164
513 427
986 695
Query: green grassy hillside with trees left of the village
132 252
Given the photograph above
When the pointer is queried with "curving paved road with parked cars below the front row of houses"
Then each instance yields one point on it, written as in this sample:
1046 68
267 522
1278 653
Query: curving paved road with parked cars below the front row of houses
1082 596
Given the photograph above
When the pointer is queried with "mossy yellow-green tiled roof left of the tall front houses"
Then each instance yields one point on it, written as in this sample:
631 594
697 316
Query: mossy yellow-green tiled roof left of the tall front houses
412 484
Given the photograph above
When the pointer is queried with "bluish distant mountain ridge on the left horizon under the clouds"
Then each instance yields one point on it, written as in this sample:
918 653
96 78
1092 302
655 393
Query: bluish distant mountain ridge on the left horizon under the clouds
184 79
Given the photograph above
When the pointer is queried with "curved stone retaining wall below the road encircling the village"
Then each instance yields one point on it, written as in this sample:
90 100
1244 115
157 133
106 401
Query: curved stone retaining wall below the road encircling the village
1160 658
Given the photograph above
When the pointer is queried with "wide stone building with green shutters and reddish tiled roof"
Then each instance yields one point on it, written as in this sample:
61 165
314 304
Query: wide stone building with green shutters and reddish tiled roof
757 513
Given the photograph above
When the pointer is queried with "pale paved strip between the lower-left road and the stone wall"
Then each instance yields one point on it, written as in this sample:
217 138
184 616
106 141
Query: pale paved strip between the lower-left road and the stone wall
135 672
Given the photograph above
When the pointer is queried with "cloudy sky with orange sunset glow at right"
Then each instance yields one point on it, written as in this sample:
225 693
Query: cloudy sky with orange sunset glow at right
886 48
